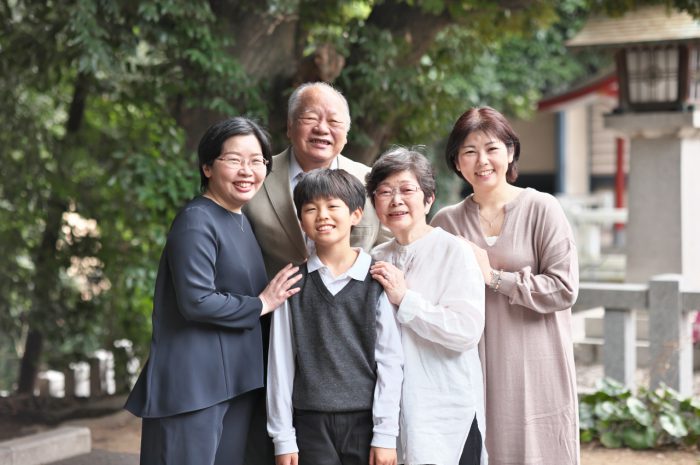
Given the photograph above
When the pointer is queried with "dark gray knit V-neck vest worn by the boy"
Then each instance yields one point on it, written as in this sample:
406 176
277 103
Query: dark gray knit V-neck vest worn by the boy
335 339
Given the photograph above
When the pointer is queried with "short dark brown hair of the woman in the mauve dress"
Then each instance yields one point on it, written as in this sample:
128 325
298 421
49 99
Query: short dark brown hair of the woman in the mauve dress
488 121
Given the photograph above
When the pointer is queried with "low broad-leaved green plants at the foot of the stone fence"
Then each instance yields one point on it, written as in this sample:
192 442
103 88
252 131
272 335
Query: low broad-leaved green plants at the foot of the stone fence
616 417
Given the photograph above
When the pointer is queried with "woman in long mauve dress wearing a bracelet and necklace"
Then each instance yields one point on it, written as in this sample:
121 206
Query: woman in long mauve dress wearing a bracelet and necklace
527 255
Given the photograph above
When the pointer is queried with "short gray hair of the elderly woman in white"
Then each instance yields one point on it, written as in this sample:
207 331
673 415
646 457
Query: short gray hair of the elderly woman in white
397 160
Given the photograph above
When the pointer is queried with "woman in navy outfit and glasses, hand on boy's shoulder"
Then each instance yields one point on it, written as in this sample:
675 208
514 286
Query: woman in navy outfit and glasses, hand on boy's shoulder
196 391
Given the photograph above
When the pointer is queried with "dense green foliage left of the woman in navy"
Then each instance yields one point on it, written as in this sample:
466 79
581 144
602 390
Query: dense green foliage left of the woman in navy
88 91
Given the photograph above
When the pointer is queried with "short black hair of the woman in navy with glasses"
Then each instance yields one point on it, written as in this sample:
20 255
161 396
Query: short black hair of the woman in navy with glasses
213 140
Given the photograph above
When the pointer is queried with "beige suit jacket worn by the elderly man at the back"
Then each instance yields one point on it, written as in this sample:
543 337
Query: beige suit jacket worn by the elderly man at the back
275 223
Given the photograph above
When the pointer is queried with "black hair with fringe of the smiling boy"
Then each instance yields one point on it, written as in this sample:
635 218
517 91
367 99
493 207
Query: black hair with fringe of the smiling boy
326 183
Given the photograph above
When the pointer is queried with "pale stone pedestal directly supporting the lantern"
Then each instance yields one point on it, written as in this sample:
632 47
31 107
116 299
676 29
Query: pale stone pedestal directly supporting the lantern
663 194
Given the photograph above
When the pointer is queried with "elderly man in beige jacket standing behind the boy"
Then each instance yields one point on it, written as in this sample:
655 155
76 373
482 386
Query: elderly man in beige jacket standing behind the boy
318 121
